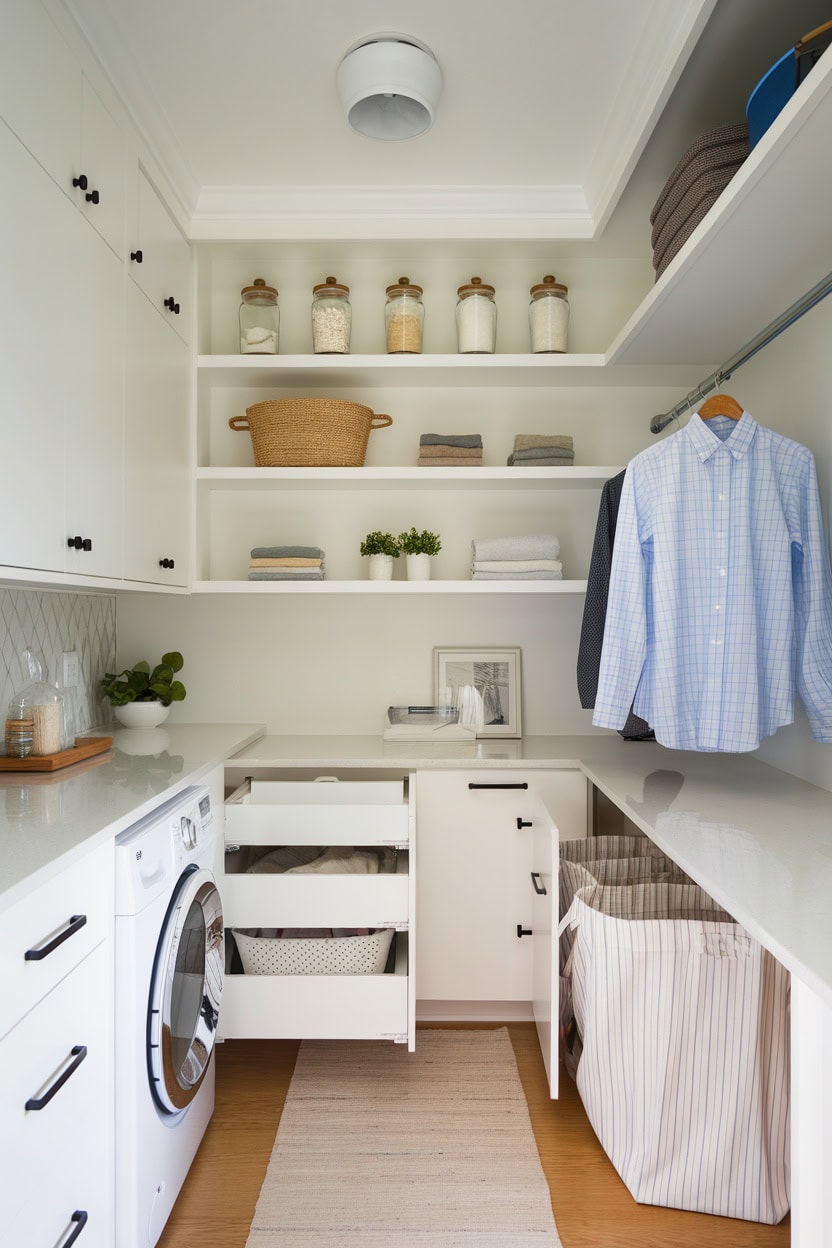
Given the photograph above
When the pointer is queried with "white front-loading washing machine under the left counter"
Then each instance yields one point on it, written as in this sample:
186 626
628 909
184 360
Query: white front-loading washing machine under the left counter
169 985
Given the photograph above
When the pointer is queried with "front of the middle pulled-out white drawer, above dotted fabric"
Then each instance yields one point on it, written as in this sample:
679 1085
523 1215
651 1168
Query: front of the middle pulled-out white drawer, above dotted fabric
317 900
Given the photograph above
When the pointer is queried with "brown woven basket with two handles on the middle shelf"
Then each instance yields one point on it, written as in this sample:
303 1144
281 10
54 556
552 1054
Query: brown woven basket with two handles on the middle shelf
310 432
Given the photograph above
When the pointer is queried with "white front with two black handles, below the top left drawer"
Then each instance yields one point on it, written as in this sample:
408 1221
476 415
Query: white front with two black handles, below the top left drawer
60 1158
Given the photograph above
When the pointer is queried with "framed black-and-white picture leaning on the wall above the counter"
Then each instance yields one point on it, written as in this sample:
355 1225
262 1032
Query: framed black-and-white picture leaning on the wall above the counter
485 685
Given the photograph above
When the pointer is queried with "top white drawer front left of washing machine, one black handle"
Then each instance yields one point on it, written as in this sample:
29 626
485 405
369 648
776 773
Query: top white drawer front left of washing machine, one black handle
79 902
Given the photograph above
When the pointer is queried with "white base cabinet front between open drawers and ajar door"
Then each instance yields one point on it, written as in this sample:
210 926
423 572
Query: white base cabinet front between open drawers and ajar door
476 859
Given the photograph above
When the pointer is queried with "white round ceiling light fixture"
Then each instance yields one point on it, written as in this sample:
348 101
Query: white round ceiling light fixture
390 87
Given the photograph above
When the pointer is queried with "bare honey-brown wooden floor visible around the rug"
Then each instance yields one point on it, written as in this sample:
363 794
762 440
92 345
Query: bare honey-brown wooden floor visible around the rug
592 1206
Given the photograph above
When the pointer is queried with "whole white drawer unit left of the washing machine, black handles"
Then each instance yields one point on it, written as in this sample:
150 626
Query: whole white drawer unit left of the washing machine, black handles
57 1060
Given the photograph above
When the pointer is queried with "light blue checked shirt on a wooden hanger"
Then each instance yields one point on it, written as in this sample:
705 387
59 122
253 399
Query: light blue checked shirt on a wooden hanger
720 598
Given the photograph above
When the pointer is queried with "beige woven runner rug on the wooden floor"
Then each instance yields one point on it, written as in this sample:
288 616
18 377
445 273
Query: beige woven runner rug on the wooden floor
384 1149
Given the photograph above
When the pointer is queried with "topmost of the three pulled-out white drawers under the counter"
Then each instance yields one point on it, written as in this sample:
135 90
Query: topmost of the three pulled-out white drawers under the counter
325 812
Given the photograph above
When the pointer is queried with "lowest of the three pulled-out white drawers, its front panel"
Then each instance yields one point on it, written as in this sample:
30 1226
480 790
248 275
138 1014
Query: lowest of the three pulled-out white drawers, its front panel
320 1007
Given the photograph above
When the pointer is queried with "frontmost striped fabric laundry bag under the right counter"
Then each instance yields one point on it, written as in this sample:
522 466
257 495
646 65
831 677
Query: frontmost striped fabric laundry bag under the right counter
684 1071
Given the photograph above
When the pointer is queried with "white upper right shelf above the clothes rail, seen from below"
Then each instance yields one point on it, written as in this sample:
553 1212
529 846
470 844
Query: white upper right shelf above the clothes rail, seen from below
762 248
